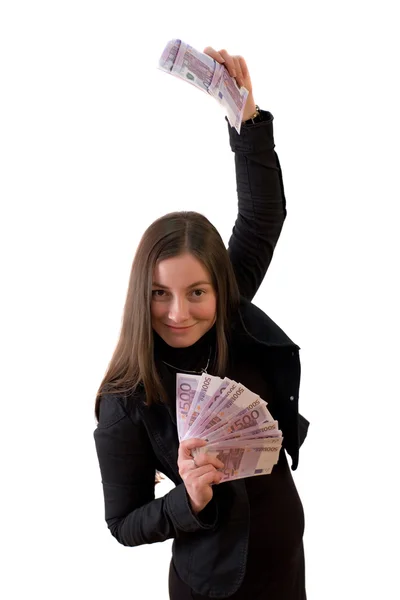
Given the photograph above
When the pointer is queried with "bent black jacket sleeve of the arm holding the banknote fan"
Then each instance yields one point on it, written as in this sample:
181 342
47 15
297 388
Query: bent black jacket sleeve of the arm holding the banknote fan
127 466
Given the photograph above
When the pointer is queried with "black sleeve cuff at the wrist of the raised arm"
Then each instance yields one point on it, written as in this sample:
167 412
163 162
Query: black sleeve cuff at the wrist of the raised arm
256 137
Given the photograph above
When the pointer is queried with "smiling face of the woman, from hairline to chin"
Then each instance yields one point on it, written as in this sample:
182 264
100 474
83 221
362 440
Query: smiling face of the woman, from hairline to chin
184 302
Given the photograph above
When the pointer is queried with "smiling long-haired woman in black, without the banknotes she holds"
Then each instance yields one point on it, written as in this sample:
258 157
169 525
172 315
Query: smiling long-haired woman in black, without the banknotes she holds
189 309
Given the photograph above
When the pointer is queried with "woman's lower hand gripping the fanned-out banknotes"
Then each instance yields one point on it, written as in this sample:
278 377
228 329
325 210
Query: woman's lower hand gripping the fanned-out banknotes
198 474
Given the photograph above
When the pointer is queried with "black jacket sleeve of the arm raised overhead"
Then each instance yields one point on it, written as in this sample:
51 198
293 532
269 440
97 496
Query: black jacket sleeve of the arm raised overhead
261 203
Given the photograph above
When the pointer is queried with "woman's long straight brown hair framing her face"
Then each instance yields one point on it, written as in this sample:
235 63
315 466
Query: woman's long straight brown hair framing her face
171 235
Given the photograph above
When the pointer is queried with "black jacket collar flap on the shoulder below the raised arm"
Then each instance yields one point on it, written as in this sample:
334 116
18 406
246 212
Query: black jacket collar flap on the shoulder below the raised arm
252 322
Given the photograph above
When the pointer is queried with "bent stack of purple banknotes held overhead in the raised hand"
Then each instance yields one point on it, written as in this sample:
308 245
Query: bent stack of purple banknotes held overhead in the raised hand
206 74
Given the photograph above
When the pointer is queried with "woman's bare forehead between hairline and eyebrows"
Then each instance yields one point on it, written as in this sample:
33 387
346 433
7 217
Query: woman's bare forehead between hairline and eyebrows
180 271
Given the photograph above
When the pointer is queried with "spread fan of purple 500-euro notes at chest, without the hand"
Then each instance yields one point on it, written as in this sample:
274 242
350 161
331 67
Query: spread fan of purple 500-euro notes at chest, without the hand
235 423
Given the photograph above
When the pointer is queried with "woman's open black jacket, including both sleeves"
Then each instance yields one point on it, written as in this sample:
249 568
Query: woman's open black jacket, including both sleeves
133 440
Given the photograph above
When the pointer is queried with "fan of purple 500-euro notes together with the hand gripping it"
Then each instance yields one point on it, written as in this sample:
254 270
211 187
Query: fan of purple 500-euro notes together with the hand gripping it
222 421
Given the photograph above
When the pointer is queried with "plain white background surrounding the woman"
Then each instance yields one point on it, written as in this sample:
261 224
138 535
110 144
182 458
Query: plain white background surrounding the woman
95 144
